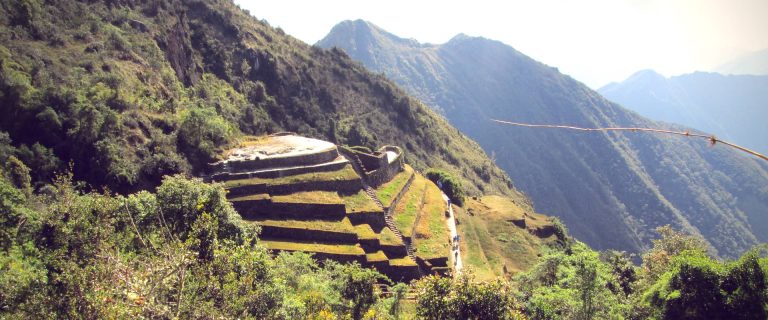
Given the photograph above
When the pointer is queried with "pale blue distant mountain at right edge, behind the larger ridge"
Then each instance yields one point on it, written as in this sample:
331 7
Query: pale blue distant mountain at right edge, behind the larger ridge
732 107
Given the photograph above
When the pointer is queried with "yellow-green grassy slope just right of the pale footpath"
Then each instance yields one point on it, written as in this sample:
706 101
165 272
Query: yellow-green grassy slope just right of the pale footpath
490 241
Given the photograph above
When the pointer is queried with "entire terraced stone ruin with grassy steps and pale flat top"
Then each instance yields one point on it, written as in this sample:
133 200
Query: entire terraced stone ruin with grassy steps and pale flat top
338 203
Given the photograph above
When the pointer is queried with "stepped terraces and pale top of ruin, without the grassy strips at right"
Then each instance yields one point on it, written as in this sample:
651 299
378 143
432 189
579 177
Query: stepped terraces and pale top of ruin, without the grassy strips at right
310 195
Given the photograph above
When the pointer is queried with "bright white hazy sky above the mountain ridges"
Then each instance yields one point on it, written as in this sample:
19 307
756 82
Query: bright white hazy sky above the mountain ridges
594 41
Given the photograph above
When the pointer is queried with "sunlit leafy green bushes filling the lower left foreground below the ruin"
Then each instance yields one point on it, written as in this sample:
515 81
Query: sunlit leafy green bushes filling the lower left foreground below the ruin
177 253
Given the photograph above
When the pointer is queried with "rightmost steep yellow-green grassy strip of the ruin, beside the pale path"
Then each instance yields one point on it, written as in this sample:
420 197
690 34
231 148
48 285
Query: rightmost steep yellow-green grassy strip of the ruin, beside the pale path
432 235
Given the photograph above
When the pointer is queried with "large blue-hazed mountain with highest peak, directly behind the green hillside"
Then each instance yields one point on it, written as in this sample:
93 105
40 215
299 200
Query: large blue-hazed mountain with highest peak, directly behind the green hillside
611 188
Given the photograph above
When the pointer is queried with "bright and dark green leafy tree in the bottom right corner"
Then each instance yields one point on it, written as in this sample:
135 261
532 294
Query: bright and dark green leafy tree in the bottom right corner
680 281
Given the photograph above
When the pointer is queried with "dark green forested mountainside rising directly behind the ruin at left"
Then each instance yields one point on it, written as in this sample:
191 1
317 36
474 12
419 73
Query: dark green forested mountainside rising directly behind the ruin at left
124 92
